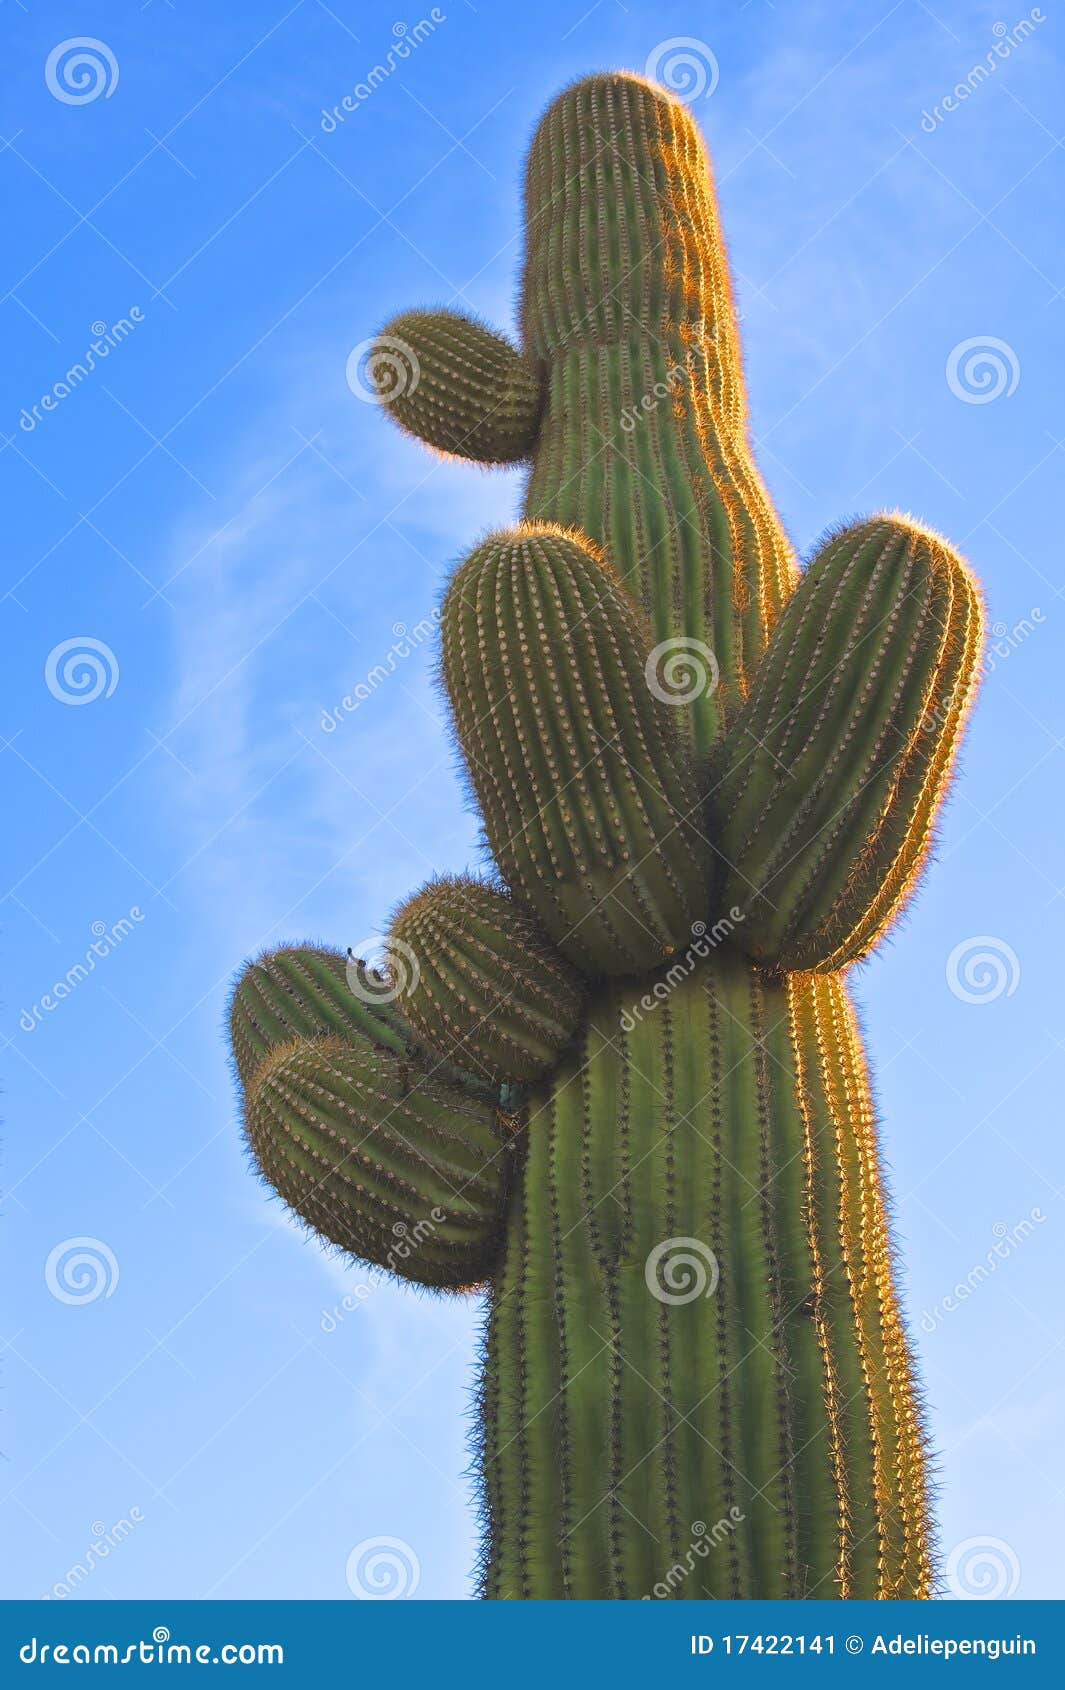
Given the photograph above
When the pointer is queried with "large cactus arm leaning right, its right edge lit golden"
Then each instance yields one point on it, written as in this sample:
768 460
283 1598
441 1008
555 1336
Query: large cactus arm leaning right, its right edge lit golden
829 782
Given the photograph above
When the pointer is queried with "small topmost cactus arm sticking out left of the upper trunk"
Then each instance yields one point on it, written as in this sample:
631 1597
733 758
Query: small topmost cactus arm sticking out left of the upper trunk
457 386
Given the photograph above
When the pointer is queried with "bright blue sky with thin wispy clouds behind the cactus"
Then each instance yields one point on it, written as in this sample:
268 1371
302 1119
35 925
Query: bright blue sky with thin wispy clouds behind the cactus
244 537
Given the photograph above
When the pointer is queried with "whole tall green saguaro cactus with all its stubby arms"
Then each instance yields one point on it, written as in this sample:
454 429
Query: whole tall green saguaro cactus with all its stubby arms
625 1088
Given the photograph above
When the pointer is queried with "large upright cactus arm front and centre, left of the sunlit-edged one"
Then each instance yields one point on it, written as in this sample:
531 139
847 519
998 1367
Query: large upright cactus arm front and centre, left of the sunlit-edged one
576 763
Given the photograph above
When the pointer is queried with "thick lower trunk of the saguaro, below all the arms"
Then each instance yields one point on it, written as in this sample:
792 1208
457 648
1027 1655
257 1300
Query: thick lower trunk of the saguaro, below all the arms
750 1427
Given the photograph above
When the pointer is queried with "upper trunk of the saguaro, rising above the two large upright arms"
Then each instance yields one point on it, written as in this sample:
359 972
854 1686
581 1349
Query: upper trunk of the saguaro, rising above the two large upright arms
643 442
